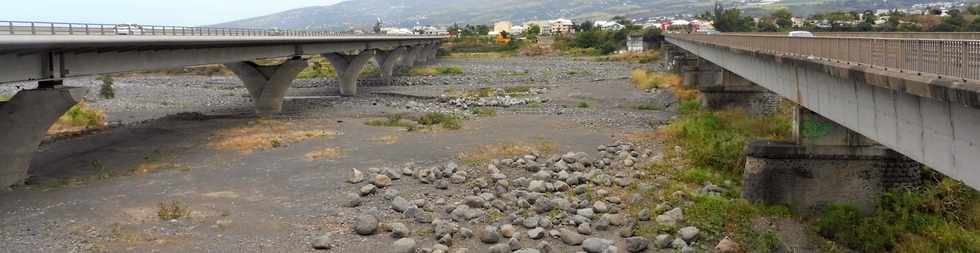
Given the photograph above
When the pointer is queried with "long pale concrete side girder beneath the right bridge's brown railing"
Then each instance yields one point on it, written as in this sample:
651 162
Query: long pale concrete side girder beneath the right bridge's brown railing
925 120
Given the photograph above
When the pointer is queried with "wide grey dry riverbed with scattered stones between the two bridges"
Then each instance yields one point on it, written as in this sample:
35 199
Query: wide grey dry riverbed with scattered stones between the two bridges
536 157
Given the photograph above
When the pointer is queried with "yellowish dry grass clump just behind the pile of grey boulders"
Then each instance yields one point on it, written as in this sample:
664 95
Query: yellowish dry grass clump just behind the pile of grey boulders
483 154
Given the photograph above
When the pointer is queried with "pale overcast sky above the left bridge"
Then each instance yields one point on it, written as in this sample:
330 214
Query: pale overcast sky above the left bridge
154 12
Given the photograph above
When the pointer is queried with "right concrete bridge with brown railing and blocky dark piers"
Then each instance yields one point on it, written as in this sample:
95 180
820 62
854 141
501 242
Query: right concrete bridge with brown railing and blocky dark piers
867 103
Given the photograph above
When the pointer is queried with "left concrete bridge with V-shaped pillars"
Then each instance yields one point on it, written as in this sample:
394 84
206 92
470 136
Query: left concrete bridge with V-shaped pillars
49 52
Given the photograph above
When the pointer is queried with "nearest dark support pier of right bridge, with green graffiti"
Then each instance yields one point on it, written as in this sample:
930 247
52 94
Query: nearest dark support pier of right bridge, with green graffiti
826 164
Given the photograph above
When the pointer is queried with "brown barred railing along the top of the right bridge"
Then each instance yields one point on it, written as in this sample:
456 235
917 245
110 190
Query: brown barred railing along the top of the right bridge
942 57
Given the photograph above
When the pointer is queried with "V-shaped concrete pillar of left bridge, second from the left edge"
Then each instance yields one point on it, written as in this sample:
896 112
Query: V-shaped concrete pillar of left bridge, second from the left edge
268 84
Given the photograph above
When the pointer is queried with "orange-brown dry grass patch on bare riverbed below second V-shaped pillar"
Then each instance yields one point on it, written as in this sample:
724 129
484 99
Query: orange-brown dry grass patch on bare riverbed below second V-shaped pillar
263 134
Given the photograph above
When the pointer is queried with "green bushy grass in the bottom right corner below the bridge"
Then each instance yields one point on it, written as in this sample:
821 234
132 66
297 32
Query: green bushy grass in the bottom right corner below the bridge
941 216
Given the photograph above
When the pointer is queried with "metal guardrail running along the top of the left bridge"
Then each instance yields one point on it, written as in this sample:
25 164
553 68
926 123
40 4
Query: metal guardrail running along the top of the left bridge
55 28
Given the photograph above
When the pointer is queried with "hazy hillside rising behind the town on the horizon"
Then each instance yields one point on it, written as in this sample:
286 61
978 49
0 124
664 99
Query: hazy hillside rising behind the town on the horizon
406 13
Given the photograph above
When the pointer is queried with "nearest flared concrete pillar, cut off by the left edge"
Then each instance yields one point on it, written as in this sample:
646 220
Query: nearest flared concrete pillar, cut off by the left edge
24 121
